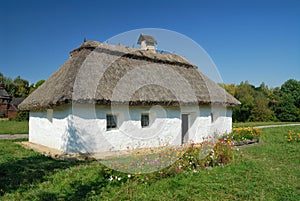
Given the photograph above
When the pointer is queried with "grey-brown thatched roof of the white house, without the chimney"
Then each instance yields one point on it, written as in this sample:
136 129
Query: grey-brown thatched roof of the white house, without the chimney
101 73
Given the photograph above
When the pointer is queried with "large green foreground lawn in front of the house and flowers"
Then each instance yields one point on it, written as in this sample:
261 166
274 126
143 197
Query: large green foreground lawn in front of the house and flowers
267 171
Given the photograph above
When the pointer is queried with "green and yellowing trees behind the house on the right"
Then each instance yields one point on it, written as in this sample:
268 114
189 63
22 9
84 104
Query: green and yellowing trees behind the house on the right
264 104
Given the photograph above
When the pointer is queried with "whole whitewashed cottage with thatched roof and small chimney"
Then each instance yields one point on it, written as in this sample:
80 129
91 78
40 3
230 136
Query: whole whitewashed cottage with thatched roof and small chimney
110 97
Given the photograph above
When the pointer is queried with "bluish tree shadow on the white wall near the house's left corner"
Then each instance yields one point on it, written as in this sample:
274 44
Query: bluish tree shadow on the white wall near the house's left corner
76 139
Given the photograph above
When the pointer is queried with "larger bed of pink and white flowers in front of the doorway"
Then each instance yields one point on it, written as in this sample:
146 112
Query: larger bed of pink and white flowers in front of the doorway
189 160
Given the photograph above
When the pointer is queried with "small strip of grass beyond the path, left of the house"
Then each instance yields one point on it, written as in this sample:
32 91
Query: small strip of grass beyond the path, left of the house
13 127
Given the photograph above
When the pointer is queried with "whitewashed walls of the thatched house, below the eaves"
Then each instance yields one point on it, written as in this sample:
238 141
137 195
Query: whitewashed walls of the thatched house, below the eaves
82 128
